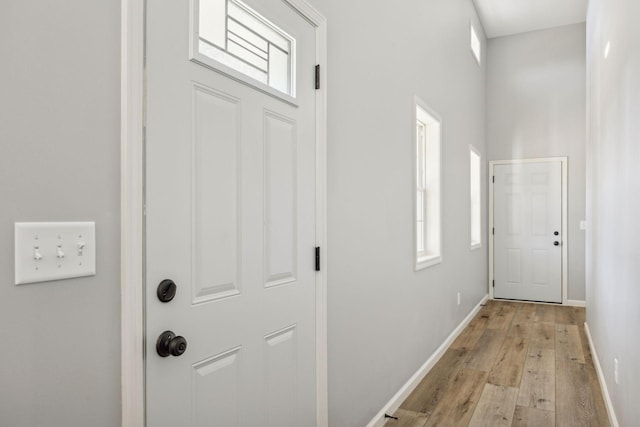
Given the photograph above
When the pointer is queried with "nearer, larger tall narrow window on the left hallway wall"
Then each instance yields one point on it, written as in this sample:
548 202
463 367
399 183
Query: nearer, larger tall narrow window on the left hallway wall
427 136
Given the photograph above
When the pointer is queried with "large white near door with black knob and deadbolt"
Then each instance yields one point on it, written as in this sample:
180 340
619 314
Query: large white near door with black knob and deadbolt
230 217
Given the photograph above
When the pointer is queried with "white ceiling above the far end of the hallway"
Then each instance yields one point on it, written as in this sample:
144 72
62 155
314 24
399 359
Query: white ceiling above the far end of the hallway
506 17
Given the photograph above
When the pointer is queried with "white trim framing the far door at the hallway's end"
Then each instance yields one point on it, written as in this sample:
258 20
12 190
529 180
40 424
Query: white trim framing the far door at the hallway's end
565 243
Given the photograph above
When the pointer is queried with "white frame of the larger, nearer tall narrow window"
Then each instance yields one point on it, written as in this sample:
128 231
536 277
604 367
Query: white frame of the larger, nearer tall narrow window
425 259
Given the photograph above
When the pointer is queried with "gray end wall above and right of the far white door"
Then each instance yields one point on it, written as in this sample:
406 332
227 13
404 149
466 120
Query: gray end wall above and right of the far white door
536 103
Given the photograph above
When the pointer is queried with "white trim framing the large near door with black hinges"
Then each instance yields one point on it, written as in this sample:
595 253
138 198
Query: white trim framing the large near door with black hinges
132 116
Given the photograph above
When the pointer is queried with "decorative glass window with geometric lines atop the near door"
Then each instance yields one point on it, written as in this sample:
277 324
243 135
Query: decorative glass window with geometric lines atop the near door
231 37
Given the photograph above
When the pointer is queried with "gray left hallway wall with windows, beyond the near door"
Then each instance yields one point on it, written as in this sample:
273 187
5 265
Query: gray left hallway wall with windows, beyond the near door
385 319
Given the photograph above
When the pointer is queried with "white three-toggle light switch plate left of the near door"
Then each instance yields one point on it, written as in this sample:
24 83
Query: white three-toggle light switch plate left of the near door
47 251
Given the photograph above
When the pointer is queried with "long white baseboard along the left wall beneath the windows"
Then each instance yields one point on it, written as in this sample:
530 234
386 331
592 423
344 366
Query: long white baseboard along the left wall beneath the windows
404 392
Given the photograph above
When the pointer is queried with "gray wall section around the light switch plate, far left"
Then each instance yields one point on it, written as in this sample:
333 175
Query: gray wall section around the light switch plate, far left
59 161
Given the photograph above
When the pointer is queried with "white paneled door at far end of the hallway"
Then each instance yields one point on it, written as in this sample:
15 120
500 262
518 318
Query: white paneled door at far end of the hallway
527 219
